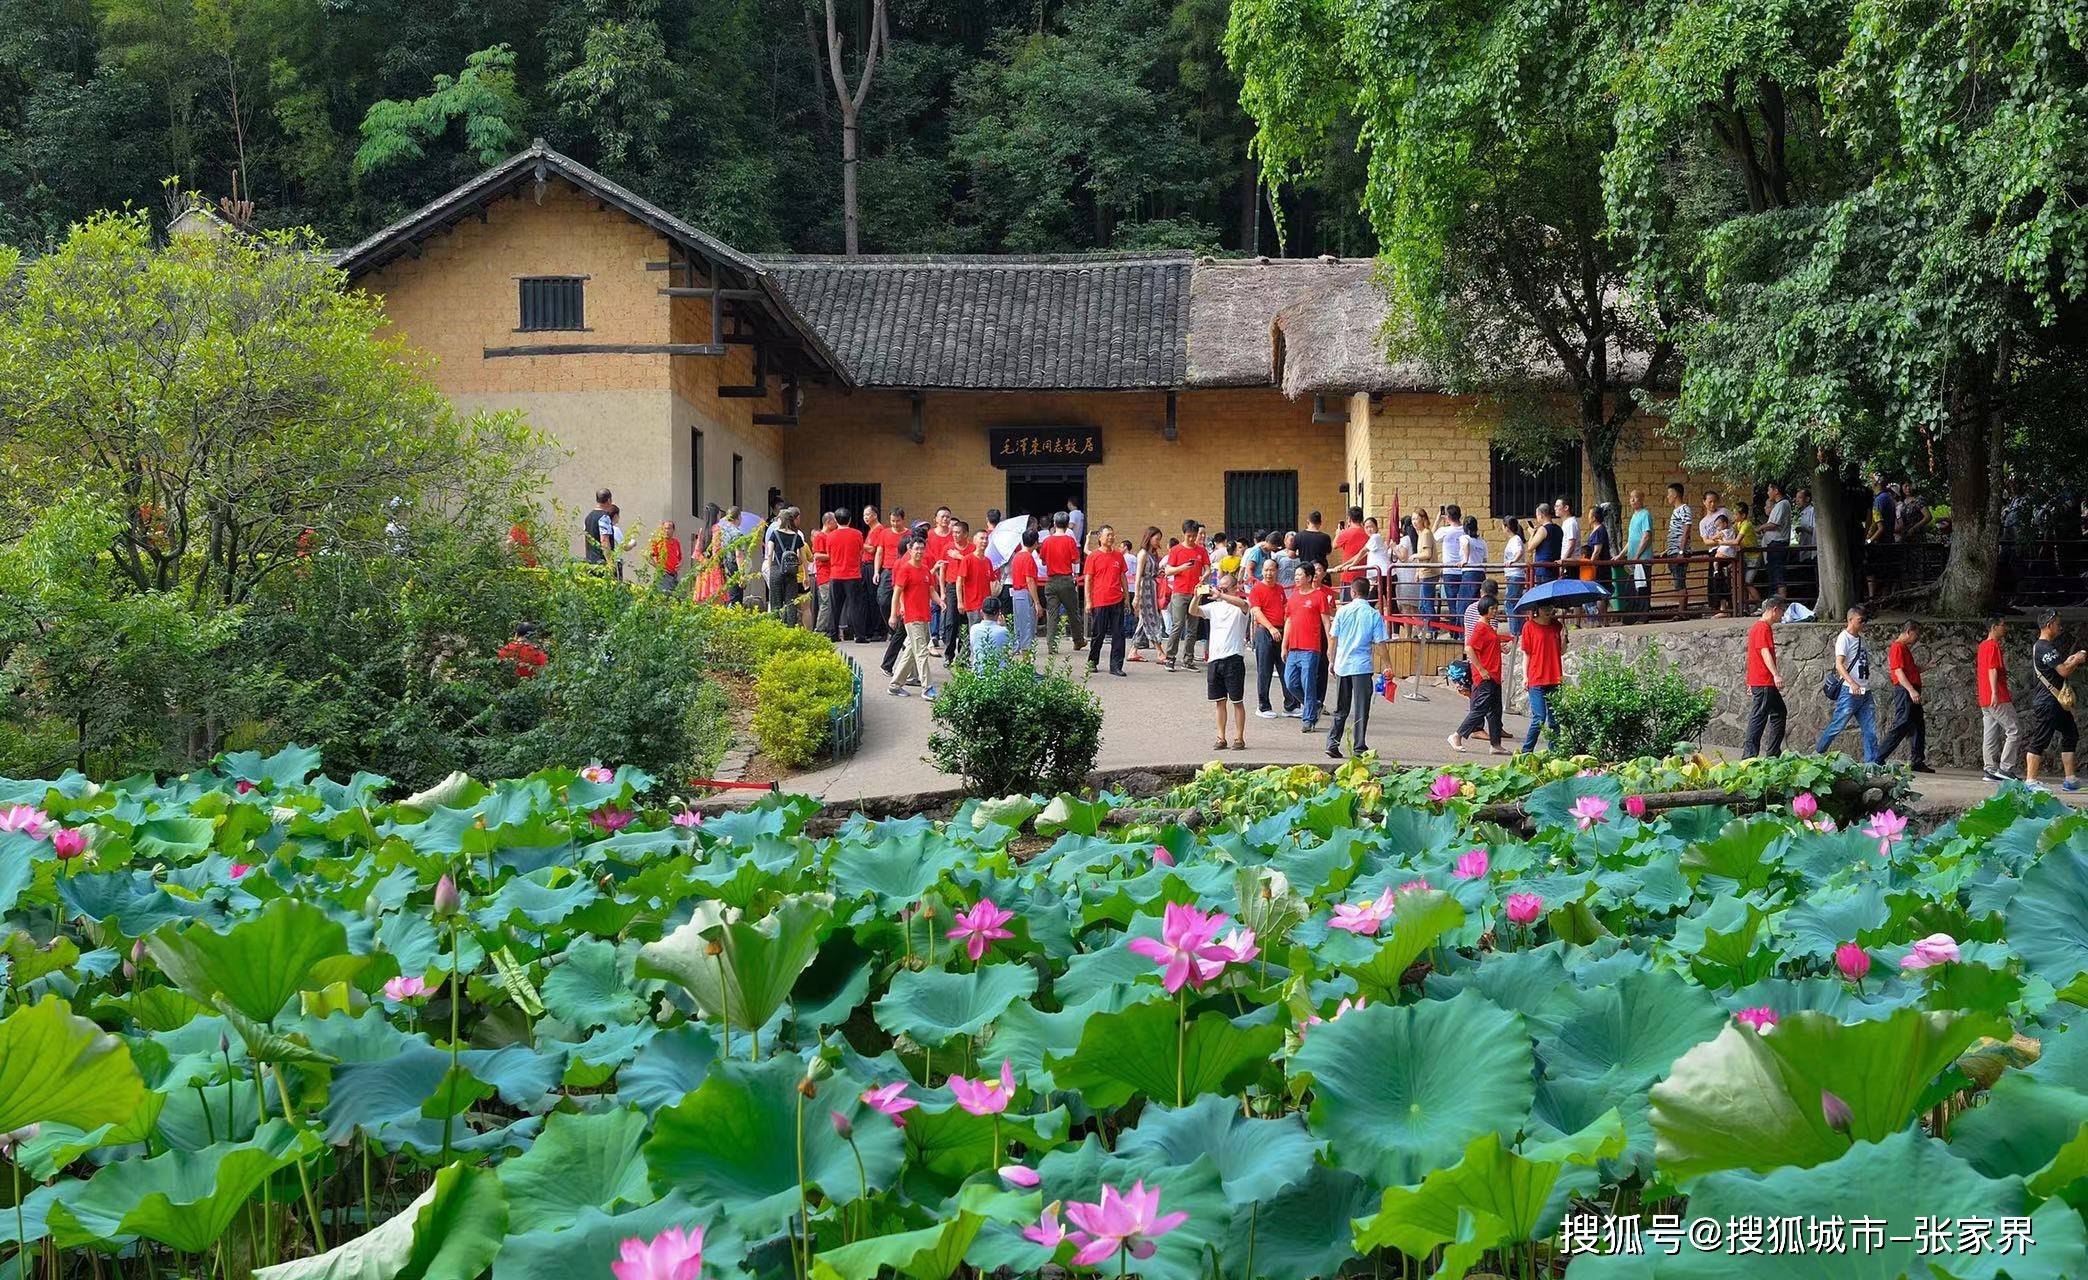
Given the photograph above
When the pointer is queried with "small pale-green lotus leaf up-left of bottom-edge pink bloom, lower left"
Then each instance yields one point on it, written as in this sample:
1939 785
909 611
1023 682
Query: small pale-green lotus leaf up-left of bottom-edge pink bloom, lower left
579 1162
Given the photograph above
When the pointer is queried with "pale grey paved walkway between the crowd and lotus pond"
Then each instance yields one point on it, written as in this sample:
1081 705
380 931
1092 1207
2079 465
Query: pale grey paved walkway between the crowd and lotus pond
1156 717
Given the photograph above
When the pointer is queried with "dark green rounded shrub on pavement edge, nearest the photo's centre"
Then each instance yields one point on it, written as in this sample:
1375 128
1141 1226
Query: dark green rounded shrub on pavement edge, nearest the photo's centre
1014 728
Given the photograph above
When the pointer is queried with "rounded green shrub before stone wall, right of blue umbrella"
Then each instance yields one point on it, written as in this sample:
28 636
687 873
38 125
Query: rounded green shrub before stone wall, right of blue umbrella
1619 711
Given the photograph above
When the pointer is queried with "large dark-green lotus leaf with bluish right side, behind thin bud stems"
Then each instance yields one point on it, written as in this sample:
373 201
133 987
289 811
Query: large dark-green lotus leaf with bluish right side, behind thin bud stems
736 1143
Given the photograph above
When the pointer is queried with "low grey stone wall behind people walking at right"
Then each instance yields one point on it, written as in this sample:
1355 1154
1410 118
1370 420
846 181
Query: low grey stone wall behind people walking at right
1715 653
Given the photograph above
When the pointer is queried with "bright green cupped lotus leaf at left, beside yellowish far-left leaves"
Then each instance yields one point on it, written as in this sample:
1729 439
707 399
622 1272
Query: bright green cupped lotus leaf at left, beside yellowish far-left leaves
260 964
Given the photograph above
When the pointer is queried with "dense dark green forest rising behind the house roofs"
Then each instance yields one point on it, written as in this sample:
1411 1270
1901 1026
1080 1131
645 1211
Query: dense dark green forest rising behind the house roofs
991 126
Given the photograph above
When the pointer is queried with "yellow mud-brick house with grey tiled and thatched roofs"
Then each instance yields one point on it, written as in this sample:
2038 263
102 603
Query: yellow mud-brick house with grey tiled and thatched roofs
1147 387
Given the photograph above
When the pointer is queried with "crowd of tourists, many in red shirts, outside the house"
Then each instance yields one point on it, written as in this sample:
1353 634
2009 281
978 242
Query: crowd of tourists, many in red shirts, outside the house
1312 607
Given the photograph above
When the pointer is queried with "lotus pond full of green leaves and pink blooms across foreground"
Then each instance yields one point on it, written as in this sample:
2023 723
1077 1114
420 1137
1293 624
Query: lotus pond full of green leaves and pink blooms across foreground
266 1022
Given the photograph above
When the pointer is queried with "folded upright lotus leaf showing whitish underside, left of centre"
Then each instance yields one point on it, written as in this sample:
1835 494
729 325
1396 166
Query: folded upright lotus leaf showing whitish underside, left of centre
757 962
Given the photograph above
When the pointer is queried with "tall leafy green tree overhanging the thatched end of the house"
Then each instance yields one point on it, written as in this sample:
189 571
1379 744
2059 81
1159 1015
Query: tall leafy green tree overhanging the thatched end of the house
1486 131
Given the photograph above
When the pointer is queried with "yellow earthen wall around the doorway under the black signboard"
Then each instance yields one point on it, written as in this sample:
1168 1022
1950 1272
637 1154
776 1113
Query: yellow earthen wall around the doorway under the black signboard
1143 479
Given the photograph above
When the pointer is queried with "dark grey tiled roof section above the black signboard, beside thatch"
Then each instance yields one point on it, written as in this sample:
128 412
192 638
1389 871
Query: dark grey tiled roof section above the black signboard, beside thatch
999 323
